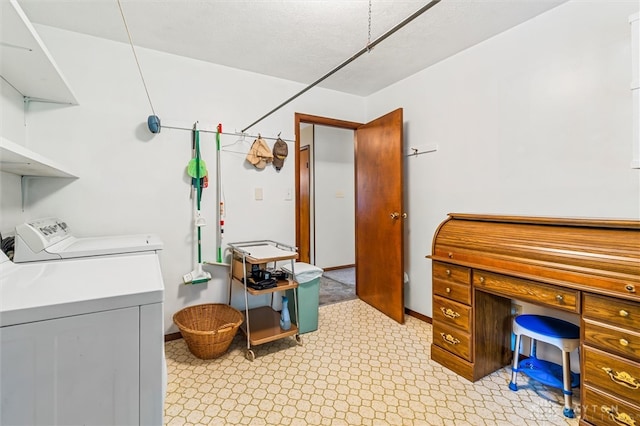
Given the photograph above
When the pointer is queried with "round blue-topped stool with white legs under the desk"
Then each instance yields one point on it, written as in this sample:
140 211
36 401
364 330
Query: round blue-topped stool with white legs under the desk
556 332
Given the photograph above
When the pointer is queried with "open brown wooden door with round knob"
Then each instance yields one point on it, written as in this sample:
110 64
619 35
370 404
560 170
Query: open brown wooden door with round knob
379 214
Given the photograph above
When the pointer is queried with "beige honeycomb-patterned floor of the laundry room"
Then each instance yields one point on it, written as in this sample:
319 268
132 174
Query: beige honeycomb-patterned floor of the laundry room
359 368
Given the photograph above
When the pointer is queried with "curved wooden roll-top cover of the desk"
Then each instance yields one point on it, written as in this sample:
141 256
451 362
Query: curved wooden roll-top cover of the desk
596 255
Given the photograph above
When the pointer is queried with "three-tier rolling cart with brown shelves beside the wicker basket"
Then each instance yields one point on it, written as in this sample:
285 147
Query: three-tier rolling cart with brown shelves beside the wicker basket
262 324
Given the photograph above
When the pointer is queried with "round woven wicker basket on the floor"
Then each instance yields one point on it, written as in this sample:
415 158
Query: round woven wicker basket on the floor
208 329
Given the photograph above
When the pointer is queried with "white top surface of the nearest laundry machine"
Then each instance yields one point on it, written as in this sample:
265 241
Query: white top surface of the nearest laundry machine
54 289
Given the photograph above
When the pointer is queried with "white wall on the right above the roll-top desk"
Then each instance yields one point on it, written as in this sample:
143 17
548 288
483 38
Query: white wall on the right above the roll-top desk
535 121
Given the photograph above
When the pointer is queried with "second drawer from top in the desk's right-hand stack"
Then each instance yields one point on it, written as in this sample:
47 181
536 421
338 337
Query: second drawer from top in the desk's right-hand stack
611 339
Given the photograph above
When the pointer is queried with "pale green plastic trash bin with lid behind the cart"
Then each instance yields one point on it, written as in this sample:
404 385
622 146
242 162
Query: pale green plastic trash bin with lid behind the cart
308 278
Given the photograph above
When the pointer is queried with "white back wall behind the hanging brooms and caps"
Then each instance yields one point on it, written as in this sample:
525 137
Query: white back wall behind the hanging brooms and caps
131 181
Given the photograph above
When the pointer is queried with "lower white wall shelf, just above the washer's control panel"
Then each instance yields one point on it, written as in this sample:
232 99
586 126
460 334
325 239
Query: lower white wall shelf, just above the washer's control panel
21 161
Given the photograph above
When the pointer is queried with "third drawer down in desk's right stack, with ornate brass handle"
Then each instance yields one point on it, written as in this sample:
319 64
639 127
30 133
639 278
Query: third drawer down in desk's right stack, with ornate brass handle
611 373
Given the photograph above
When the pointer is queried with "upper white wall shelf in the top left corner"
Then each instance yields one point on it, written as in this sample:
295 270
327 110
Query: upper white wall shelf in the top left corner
26 63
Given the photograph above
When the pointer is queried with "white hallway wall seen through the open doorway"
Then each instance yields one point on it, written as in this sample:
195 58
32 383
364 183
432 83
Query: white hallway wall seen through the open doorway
334 200
